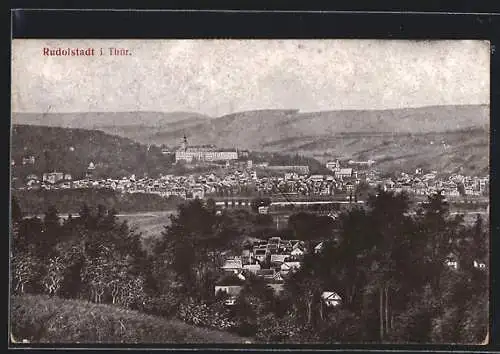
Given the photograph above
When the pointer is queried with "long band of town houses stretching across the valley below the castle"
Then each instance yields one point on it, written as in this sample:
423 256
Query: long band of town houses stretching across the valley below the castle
241 179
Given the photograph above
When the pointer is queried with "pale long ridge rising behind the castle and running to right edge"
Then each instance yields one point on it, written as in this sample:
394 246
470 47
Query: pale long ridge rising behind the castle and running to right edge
259 129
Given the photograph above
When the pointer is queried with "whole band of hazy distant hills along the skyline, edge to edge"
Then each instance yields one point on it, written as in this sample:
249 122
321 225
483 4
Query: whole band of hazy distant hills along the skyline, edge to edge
253 129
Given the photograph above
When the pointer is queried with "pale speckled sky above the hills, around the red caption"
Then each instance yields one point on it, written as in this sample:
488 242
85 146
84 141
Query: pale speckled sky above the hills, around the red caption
217 77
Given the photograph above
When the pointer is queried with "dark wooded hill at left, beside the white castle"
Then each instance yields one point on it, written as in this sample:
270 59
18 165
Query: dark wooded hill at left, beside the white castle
72 150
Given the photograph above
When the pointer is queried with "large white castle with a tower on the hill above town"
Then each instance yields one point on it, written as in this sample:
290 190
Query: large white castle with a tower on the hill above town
204 153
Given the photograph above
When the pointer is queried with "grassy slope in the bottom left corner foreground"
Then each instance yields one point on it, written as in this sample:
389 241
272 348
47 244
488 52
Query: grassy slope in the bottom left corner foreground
41 319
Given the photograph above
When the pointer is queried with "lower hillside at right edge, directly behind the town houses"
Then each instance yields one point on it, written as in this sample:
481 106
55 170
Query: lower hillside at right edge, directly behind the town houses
460 151
